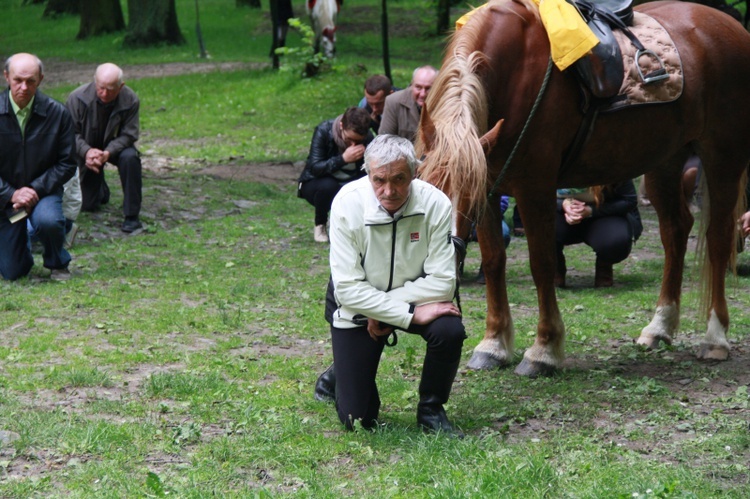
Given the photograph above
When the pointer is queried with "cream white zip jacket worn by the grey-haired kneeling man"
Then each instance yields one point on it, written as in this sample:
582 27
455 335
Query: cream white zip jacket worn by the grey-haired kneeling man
381 265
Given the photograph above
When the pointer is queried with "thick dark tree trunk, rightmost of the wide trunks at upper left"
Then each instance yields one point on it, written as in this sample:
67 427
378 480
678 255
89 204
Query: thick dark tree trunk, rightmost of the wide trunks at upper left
152 22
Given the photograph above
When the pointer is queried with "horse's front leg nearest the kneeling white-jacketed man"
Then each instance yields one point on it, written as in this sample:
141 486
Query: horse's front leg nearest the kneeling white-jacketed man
496 348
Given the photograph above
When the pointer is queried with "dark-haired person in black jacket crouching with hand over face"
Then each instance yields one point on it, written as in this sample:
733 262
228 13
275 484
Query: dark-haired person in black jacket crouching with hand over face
335 158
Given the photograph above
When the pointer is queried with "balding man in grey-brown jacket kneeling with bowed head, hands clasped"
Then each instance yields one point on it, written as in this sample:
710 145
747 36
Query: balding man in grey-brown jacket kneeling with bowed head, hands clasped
105 113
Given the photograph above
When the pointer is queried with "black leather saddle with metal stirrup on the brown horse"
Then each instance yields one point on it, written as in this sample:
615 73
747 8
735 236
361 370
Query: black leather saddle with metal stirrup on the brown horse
602 71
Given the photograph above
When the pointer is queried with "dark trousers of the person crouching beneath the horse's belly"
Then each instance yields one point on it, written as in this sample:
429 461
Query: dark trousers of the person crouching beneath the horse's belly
611 238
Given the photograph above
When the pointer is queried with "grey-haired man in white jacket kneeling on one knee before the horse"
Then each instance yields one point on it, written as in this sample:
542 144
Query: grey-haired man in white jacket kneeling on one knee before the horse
392 267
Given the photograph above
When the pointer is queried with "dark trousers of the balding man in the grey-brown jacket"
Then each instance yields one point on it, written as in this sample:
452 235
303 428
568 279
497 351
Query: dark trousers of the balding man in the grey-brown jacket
95 191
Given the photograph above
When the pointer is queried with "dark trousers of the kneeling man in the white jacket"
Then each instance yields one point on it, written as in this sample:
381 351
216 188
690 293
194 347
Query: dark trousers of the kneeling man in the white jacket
356 357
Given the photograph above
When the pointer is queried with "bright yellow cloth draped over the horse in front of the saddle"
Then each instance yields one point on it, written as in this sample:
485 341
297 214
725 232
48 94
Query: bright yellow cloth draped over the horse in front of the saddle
569 36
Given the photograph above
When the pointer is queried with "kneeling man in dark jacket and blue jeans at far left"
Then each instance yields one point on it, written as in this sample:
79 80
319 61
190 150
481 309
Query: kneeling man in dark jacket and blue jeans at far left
37 144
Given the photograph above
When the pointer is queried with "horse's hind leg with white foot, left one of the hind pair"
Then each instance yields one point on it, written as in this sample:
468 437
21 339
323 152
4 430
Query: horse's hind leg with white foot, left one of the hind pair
664 190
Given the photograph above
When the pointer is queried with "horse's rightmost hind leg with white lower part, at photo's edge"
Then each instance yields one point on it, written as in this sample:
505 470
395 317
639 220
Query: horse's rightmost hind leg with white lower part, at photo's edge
723 192
